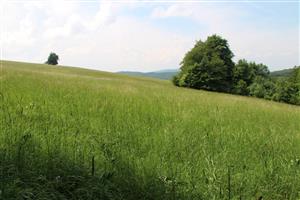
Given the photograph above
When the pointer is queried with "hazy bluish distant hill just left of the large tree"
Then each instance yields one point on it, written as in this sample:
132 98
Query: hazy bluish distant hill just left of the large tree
162 74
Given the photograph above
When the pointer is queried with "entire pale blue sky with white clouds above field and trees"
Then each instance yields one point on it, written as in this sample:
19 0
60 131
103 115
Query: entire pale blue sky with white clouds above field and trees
147 35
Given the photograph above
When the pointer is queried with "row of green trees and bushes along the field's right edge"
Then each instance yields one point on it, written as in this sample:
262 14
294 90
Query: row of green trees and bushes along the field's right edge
209 66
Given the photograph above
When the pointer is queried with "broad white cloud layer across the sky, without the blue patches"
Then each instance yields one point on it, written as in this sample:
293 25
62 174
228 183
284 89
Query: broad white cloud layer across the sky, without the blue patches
100 36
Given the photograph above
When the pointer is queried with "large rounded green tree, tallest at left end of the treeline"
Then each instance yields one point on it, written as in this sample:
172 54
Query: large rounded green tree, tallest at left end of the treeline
208 65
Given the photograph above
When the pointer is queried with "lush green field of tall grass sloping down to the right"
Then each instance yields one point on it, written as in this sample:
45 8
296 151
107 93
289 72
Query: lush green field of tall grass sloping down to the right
70 133
